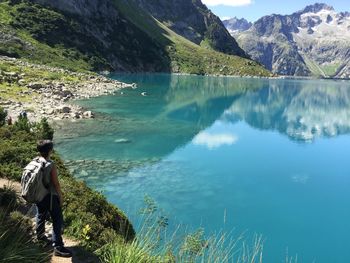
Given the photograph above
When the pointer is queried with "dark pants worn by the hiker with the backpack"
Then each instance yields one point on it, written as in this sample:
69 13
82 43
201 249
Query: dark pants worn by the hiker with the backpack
43 209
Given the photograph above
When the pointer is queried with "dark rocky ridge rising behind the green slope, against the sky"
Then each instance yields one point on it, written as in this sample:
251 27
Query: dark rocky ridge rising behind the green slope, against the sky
194 21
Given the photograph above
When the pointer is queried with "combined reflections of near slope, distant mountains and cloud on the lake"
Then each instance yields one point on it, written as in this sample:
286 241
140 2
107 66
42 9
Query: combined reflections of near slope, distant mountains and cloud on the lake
178 108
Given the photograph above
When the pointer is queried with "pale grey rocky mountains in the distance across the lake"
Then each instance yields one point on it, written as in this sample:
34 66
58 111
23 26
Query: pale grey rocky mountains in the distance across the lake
312 42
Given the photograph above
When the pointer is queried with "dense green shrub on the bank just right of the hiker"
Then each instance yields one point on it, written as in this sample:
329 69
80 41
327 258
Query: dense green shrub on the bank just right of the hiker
90 218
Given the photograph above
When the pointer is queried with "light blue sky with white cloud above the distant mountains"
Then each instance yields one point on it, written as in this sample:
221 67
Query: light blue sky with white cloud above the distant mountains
252 10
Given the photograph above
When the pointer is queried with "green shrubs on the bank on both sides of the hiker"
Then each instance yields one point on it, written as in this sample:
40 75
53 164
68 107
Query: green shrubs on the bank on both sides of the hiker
82 207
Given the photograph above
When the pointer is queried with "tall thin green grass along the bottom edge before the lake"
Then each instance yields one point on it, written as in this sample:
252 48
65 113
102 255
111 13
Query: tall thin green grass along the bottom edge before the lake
155 244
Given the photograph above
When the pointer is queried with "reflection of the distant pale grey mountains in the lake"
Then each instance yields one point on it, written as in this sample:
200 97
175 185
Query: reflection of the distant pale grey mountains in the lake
302 110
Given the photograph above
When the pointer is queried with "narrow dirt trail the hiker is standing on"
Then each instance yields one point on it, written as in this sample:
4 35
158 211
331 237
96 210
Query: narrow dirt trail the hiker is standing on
79 254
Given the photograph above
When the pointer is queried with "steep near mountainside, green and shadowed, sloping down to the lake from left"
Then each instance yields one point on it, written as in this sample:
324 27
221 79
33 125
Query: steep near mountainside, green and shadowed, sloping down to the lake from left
120 35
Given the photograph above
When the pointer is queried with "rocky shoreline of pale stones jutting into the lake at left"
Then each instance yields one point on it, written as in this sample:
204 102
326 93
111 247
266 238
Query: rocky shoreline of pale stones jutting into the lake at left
51 98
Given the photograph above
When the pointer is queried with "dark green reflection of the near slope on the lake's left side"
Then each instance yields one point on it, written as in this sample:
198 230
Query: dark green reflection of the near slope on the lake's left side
176 109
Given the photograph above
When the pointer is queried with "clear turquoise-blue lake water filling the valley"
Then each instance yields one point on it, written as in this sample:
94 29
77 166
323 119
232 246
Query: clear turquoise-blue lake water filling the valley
255 155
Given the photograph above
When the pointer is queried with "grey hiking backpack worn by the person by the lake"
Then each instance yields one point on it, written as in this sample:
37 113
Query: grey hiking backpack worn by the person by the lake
33 189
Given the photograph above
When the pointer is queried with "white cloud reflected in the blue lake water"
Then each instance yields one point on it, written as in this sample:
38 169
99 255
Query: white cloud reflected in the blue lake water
212 141
